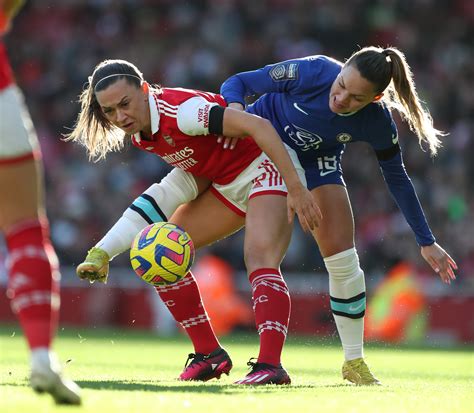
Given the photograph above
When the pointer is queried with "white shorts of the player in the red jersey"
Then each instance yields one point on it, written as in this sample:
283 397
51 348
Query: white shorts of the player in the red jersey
261 177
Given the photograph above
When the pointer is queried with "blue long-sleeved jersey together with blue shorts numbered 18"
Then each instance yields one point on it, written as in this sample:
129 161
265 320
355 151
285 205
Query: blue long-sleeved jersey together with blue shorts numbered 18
294 96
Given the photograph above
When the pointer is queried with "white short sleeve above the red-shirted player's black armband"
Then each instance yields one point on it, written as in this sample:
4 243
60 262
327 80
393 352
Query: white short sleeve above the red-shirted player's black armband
193 116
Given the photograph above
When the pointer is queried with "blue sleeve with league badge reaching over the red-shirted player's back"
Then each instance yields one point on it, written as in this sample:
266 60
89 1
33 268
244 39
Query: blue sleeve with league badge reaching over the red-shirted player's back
291 76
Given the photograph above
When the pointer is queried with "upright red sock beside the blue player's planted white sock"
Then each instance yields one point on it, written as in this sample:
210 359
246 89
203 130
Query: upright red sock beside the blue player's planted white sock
271 305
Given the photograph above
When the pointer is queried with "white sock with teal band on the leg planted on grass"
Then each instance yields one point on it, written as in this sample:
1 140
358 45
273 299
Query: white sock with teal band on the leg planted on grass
347 296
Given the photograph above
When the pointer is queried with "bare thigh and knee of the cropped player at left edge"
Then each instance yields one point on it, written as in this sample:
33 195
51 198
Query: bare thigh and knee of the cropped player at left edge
21 189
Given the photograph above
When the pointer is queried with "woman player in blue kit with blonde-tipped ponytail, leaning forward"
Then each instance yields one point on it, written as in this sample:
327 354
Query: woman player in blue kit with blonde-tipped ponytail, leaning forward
317 105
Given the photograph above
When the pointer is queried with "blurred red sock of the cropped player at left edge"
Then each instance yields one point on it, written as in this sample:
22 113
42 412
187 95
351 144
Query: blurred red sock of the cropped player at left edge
33 284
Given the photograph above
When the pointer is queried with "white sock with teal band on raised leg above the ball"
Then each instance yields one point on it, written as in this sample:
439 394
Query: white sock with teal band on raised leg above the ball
156 204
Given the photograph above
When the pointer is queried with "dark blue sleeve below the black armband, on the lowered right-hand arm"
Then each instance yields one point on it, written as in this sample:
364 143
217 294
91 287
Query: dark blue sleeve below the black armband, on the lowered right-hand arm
402 190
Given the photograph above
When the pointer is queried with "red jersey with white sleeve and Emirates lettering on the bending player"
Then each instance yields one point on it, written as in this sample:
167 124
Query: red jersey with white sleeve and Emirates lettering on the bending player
181 137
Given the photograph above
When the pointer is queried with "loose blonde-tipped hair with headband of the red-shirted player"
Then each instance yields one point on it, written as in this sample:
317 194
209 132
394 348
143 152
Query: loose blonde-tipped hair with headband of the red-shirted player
92 129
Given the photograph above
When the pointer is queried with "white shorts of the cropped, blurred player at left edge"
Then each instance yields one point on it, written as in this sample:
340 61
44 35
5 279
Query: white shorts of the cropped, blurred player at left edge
18 139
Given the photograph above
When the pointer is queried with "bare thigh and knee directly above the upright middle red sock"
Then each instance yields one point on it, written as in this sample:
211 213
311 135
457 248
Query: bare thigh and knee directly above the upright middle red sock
267 231
